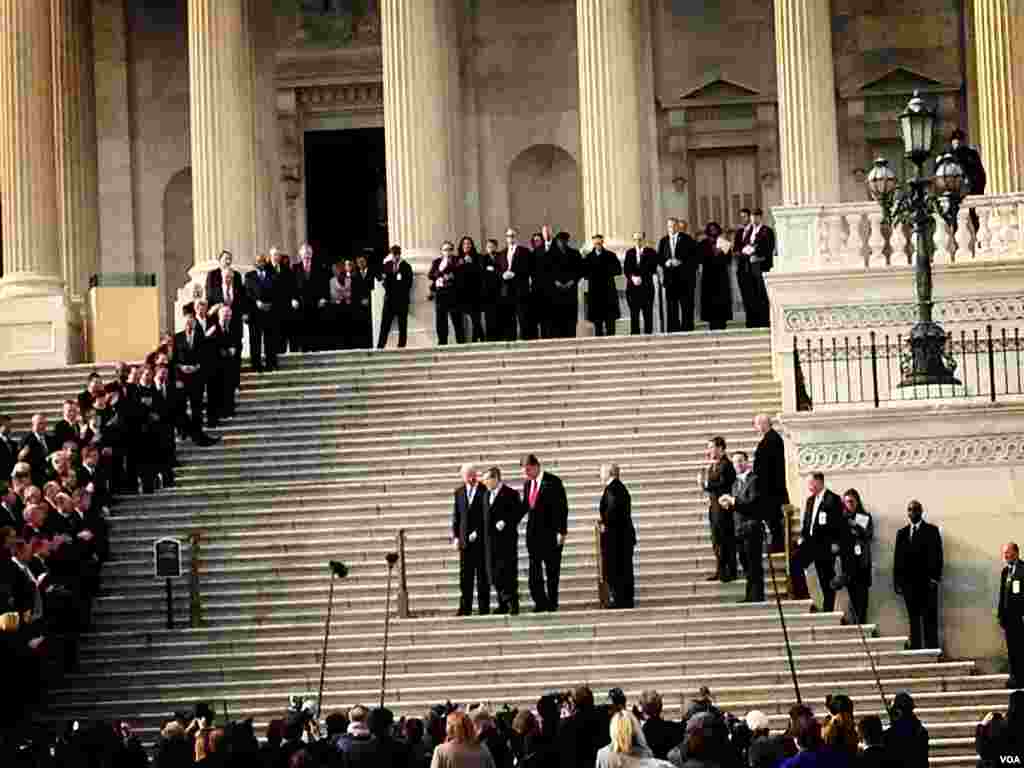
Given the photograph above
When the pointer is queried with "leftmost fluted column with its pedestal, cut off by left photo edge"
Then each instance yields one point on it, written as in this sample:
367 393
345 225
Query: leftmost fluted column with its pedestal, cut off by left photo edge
35 328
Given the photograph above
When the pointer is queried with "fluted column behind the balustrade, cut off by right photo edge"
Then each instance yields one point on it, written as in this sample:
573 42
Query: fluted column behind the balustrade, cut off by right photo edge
999 29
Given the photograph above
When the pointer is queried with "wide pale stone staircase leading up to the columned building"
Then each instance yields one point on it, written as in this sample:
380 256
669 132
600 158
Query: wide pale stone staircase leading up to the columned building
335 453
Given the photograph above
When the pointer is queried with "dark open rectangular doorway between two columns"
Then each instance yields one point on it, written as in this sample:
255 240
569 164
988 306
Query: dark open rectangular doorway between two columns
347 200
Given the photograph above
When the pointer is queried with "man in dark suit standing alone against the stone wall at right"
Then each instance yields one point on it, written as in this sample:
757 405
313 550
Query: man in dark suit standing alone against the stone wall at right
918 574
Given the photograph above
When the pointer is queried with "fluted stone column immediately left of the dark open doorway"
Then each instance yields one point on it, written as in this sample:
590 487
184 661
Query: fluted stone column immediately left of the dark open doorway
224 133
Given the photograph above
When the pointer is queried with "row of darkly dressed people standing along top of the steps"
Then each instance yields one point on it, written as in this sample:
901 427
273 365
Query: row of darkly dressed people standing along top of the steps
504 293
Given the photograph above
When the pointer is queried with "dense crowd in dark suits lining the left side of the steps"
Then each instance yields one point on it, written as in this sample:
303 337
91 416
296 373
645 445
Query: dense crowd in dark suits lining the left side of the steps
116 438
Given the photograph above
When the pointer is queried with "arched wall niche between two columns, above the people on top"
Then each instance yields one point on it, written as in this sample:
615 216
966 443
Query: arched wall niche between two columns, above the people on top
545 188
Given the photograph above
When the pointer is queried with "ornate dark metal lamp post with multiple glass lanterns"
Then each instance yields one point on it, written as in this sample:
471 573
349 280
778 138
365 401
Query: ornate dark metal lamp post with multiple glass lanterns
916 205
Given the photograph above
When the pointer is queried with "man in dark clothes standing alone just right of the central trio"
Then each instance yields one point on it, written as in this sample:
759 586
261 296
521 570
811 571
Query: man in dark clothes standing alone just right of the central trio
618 538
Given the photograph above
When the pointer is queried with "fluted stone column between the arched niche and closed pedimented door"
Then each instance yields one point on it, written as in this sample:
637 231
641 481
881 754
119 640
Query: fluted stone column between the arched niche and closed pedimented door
611 119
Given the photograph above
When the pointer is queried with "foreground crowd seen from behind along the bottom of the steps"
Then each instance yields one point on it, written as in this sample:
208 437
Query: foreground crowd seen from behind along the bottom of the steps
564 731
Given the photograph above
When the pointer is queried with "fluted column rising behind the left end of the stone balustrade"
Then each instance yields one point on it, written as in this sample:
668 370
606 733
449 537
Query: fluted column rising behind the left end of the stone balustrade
808 142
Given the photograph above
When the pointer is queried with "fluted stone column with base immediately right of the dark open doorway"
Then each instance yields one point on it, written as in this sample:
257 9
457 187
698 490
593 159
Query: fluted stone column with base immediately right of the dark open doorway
419 93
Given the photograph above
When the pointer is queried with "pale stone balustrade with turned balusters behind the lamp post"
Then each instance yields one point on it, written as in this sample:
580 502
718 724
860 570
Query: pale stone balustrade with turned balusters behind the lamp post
852 236
